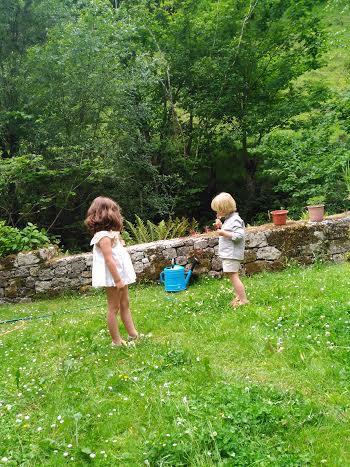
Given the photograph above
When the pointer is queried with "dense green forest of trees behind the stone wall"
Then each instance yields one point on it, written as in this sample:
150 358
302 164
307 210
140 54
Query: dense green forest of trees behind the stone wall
161 104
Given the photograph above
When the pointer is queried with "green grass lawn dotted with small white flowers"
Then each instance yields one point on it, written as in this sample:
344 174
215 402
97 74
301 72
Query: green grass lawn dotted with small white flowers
265 385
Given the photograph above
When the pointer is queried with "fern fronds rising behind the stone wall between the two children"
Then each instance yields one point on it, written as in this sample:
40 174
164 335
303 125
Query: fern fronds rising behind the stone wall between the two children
144 232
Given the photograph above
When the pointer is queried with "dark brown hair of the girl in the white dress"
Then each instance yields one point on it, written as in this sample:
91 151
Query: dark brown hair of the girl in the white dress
103 214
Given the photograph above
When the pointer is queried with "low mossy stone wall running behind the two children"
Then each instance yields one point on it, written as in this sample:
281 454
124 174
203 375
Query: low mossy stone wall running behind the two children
44 272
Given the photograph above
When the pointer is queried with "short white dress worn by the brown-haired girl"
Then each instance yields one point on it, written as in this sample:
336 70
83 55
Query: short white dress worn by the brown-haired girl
101 276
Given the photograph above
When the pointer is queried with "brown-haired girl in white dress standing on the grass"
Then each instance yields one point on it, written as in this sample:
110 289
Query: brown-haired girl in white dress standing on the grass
111 265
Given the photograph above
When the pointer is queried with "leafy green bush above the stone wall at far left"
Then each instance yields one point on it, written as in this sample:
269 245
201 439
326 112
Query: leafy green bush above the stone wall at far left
14 240
